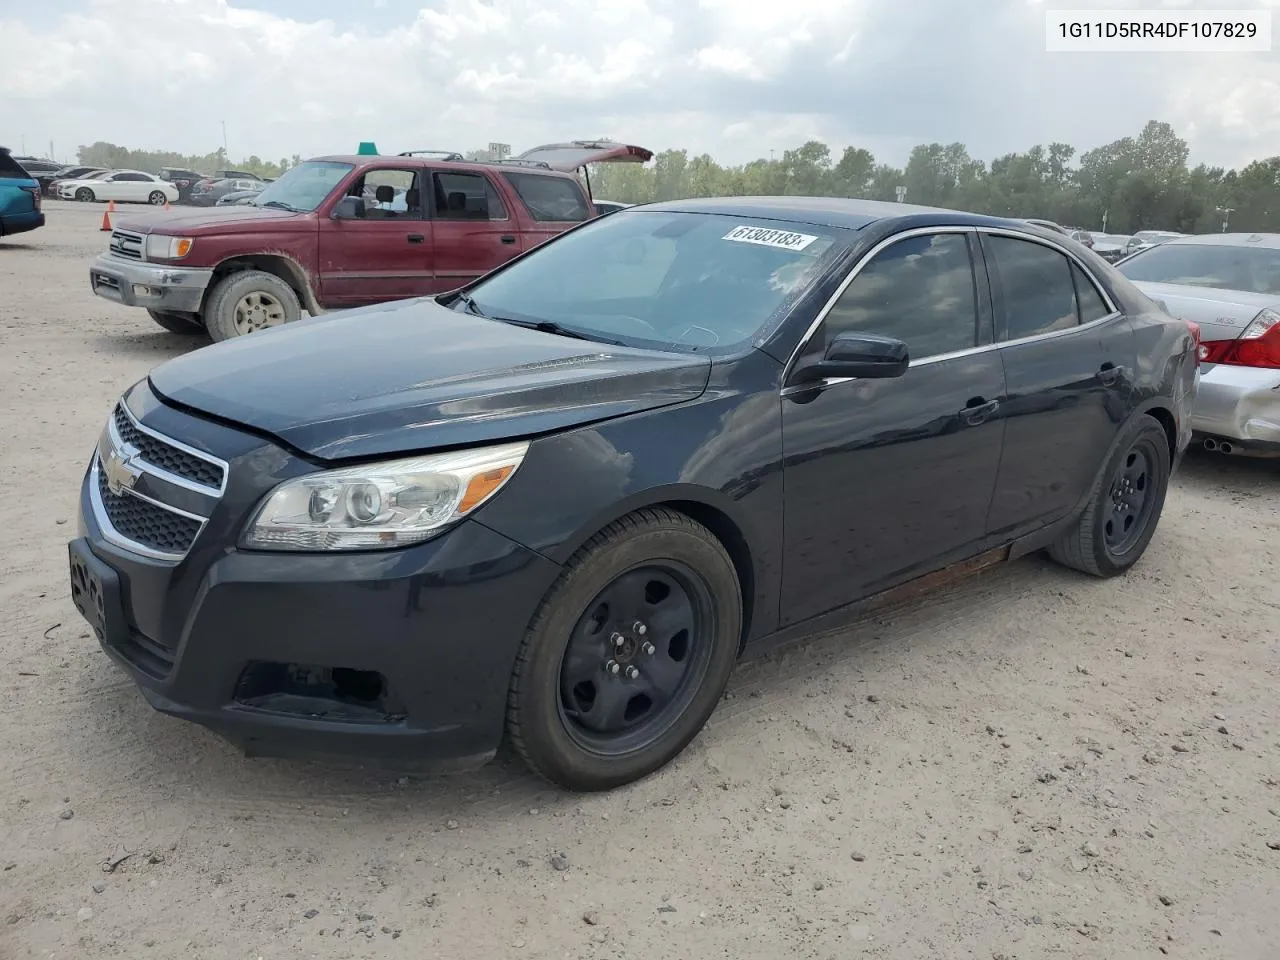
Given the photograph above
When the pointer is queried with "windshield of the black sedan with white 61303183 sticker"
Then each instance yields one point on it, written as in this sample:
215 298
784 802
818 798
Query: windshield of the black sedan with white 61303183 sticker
691 282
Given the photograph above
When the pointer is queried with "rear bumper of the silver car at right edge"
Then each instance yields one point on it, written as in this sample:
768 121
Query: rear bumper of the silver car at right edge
1240 404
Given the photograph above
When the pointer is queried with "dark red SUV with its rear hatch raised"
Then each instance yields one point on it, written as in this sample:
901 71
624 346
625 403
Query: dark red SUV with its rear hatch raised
346 231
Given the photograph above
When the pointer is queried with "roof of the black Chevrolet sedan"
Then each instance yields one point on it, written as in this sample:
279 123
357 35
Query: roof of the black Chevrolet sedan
826 212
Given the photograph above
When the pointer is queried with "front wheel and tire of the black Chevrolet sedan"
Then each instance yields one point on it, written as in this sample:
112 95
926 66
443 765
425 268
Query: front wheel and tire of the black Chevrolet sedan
639 548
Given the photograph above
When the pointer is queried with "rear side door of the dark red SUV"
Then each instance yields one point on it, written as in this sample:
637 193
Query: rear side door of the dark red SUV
474 230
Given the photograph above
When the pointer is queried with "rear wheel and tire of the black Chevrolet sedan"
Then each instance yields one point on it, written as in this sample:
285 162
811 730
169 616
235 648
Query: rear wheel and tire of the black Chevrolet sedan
1101 545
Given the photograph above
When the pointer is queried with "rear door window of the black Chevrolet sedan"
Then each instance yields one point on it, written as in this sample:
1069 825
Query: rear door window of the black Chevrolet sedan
1036 289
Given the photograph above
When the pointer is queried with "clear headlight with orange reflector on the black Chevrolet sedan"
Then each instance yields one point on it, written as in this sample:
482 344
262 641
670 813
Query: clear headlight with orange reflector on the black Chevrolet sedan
378 506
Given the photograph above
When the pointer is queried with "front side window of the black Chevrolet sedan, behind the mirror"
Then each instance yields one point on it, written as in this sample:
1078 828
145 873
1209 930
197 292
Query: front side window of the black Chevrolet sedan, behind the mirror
920 291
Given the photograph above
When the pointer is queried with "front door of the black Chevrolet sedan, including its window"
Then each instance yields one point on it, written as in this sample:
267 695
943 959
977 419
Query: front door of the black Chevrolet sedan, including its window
890 479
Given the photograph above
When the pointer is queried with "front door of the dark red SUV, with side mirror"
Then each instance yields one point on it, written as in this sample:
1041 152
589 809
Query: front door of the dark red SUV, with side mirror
387 253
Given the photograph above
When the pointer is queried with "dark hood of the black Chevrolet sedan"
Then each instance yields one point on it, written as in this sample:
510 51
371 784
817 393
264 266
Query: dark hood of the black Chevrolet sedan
413 376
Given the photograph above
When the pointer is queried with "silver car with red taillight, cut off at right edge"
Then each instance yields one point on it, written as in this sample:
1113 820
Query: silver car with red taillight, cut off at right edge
1229 285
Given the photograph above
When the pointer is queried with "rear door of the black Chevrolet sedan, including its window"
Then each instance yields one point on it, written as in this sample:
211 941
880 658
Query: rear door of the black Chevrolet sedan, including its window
1068 359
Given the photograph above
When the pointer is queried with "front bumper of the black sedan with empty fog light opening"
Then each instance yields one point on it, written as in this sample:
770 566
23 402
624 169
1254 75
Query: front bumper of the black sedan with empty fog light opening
401 656
